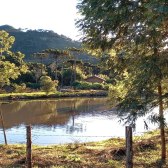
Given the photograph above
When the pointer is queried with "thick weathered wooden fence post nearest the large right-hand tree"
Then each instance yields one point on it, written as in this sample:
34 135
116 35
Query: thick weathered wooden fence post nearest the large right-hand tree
129 152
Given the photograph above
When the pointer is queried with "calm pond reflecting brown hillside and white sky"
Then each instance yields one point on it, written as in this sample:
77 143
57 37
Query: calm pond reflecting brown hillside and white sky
62 120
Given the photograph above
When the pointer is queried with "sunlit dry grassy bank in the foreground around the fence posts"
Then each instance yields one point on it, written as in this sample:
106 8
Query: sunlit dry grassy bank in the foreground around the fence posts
108 153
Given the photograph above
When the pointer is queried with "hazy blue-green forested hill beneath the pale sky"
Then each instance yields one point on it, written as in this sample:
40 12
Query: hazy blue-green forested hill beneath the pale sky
32 41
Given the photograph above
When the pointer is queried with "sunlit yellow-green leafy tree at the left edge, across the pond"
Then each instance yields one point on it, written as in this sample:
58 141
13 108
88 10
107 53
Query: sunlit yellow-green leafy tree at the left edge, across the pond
8 69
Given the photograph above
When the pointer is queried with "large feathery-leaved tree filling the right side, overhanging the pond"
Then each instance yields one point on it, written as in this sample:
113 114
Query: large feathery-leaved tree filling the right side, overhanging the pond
130 37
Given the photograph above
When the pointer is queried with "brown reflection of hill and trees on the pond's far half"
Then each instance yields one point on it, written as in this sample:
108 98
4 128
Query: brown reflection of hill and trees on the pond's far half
48 112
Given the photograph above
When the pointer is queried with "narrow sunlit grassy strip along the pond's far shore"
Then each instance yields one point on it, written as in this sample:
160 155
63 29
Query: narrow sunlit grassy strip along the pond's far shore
64 93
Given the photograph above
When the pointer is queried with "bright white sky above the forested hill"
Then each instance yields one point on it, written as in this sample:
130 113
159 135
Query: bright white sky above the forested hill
56 15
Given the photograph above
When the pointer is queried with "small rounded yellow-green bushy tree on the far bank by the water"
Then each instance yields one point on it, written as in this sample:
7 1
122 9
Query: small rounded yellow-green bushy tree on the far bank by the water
47 84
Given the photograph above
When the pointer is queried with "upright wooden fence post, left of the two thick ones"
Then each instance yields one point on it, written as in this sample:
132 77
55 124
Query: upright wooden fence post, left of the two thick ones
29 147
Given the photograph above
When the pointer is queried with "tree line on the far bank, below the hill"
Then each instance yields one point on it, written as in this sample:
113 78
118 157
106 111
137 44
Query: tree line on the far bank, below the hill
65 68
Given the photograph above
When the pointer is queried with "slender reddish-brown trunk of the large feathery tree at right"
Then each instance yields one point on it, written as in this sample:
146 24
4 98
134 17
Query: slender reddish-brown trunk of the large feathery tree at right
161 124
